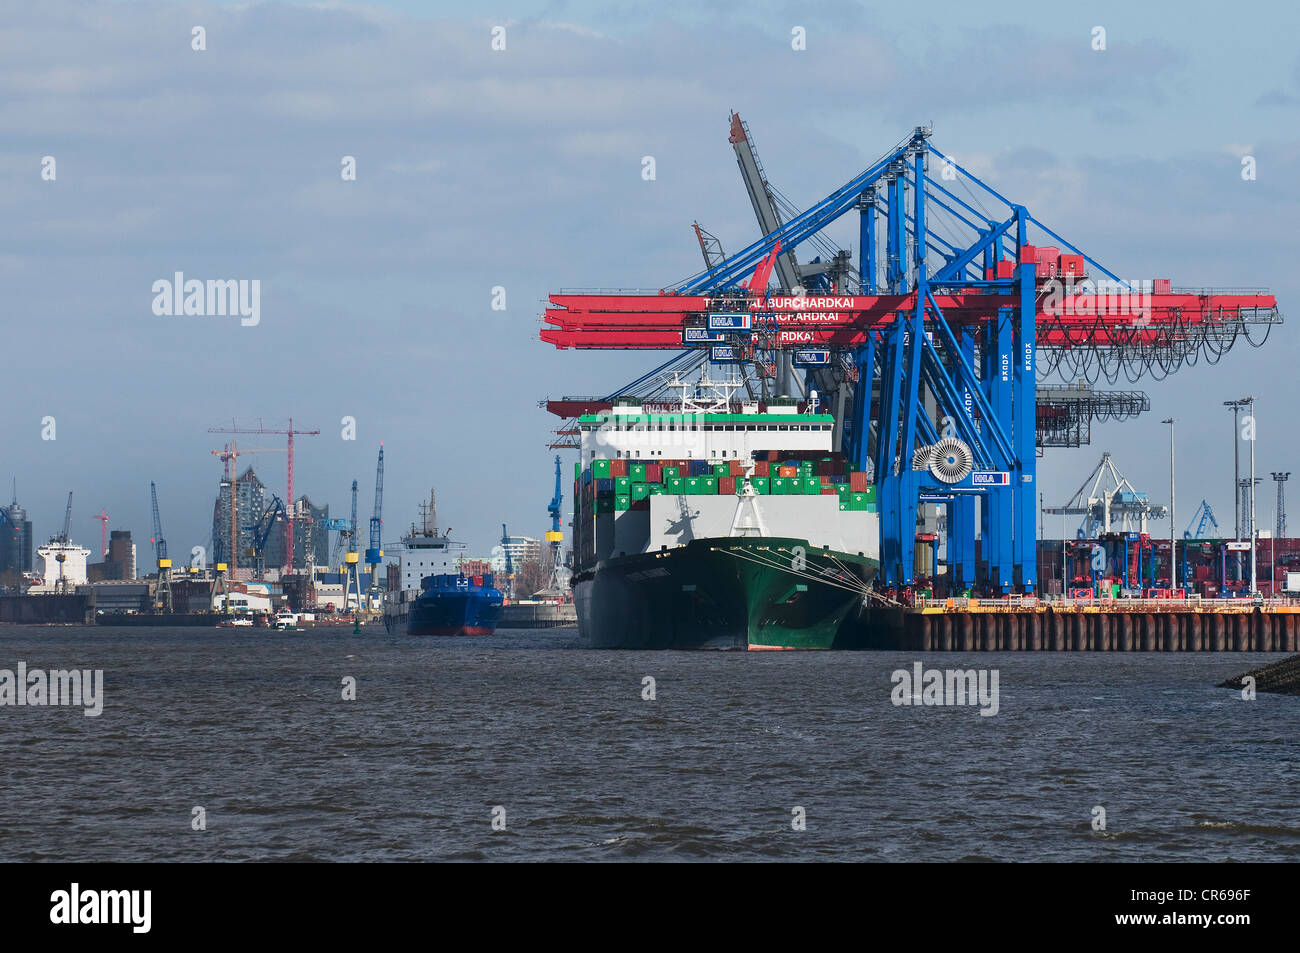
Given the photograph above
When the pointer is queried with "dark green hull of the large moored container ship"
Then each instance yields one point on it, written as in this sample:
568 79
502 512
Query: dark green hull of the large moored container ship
752 594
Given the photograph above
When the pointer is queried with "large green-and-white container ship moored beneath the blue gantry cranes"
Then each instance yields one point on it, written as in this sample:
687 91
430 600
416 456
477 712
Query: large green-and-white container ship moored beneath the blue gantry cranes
709 529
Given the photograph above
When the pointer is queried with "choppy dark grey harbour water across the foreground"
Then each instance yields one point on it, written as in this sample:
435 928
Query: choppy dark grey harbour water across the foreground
253 727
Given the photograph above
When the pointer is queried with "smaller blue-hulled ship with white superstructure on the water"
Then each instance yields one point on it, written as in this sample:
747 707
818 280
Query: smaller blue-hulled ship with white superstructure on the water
436 599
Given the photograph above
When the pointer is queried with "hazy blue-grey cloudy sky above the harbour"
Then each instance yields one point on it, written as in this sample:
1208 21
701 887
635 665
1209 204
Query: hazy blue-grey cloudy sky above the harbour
521 168
